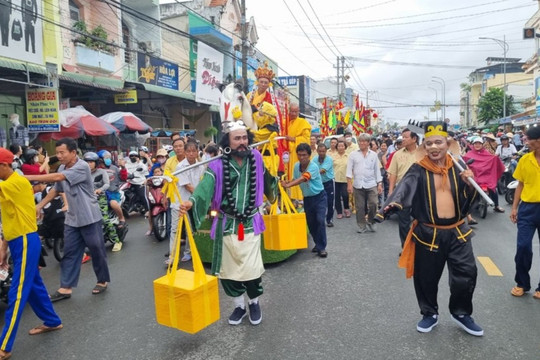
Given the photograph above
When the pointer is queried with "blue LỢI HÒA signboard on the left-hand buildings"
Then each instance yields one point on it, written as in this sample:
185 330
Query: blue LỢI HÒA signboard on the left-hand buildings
151 70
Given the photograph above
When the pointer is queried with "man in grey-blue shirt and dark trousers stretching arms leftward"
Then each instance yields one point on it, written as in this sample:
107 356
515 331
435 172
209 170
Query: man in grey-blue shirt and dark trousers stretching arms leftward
83 224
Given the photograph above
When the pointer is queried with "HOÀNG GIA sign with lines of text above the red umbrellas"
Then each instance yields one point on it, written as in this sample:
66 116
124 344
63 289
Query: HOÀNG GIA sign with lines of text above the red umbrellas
42 110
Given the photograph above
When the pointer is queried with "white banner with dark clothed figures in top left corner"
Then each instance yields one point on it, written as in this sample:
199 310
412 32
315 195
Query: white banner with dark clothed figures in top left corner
21 30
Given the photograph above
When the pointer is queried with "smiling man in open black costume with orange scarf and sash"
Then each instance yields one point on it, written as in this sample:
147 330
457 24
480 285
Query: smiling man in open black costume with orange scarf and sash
439 197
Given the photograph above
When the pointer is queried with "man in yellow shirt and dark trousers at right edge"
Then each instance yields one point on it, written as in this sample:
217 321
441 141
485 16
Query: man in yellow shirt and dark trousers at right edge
526 212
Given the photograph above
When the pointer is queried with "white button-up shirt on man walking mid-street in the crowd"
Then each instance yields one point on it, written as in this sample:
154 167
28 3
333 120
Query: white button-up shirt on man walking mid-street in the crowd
364 170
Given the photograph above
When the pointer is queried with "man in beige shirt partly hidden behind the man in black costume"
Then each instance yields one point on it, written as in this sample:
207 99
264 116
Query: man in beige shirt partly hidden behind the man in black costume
399 164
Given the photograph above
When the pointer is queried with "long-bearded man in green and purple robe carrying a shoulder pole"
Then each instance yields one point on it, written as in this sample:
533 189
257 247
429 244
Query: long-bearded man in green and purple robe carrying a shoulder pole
234 186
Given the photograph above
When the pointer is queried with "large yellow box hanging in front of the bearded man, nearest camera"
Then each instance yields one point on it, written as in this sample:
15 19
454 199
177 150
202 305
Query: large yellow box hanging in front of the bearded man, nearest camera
190 304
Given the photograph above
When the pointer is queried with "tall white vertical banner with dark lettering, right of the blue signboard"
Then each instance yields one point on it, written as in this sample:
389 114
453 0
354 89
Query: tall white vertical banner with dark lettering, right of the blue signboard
209 74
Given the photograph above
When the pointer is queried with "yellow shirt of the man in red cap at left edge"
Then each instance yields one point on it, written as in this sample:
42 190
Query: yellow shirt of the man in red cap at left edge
18 207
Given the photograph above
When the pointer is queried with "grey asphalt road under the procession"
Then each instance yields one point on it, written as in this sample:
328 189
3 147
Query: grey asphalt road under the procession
356 304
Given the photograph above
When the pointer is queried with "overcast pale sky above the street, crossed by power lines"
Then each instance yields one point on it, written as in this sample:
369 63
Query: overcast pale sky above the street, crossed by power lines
427 32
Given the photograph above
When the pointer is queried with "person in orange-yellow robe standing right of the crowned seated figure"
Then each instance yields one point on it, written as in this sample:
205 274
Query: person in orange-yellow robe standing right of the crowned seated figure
299 132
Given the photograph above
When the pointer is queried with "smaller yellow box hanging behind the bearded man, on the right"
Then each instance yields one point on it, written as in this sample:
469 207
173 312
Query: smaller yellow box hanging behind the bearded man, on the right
285 231
